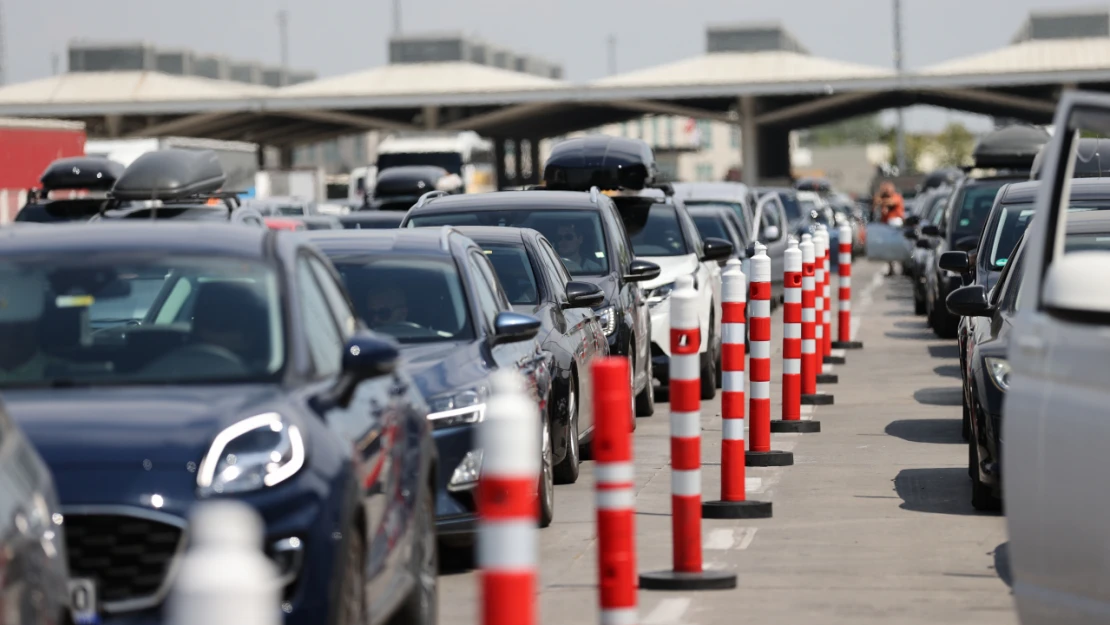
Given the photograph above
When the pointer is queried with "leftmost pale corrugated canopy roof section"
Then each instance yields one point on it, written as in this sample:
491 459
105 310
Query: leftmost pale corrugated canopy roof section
126 87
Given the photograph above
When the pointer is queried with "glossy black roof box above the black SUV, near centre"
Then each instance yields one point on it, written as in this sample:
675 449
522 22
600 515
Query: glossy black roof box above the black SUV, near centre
611 164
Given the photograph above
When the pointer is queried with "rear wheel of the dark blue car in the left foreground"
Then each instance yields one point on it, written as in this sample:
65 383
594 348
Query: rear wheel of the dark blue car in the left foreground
423 603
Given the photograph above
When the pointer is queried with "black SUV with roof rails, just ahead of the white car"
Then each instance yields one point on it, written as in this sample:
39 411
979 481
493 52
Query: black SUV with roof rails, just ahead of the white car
593 245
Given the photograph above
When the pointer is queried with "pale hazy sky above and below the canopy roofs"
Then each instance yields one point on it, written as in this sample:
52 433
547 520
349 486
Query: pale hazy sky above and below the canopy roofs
337 37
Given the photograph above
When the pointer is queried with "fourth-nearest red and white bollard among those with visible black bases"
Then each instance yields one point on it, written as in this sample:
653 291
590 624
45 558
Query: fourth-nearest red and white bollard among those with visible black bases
792 347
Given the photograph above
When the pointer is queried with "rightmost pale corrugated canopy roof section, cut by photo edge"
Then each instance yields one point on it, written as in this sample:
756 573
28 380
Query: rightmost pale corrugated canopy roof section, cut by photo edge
1033 57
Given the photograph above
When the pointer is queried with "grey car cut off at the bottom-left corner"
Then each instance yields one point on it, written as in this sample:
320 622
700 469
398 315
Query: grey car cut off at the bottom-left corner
34 573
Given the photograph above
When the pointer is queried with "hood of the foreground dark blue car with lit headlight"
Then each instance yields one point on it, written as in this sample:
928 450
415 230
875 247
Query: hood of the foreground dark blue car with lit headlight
140 427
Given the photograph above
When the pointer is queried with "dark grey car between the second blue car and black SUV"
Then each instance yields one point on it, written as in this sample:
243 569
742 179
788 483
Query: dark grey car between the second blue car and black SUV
539 285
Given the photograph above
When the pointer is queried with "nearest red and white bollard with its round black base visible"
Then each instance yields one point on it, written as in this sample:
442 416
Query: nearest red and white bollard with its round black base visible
687 455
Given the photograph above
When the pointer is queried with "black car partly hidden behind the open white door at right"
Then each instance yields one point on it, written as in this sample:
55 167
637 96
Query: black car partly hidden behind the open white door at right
987 376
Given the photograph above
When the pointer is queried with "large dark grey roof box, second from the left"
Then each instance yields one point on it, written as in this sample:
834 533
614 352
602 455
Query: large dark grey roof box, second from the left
171 175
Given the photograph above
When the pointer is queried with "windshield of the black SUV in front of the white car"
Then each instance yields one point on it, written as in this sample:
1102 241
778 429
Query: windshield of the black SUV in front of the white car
578 235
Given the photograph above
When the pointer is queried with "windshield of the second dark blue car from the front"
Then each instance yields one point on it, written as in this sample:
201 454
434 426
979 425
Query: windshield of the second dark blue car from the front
416 300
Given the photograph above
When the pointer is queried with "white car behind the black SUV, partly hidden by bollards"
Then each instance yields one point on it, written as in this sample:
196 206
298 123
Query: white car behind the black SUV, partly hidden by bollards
663 233
